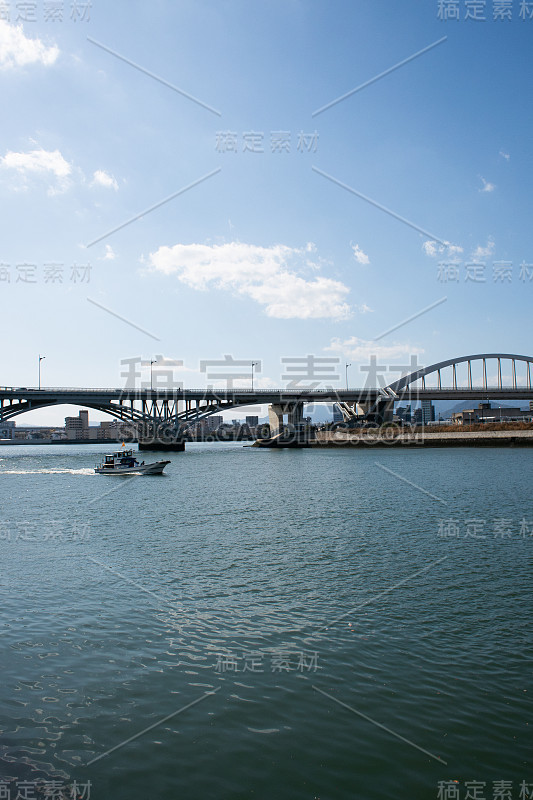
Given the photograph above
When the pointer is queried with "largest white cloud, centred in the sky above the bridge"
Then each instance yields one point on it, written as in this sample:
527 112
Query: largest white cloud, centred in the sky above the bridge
269 275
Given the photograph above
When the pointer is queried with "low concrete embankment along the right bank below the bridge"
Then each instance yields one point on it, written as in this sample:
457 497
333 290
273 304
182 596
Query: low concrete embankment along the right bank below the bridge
377 438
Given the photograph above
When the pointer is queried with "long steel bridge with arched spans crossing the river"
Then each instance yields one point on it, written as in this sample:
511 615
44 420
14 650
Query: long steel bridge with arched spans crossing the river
162 415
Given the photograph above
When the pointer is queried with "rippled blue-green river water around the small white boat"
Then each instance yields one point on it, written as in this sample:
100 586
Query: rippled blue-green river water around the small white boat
287 624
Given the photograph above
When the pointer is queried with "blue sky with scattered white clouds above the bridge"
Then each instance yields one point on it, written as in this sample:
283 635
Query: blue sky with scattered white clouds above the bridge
267 258
